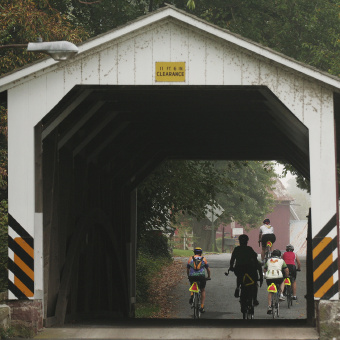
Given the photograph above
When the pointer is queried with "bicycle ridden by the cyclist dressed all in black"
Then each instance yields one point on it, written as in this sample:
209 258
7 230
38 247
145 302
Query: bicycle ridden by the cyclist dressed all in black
246 296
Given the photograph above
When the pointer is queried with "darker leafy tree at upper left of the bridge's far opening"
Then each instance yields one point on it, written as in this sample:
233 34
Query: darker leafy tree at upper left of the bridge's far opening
176 186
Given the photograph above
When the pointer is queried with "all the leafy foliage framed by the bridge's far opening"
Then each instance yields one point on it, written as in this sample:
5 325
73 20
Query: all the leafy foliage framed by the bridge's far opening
188 187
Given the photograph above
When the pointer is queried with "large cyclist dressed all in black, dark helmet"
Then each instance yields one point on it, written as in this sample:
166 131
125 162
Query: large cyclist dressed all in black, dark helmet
246 262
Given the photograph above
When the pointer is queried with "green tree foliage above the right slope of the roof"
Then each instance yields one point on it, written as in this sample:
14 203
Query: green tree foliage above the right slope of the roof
306 30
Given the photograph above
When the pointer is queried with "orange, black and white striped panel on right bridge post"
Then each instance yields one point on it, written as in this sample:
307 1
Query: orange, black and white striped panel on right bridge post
325 262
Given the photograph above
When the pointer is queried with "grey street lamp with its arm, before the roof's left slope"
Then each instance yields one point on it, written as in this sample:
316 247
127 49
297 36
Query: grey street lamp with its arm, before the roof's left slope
58 50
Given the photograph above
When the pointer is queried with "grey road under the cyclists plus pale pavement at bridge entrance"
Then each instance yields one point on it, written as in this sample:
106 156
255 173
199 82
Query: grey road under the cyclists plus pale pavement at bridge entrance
221 321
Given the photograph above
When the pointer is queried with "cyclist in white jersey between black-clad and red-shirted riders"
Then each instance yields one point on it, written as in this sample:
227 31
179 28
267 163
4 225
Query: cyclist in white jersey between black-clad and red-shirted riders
275 270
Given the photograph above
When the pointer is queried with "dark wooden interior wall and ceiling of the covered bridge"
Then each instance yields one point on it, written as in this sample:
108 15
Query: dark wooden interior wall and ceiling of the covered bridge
100 142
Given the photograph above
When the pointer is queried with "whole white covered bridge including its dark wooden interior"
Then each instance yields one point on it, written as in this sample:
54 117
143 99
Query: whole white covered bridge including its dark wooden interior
84 133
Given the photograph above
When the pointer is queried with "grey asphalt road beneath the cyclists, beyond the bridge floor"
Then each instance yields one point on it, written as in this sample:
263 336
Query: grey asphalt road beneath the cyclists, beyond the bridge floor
220 301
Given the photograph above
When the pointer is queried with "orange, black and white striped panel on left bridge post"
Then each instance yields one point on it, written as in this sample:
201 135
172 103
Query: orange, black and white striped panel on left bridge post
21 261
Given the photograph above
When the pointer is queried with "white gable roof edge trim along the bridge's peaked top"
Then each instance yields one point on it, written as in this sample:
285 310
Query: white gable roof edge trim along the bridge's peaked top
162 15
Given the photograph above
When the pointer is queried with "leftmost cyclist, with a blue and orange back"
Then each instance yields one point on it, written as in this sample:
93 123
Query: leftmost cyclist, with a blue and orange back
196 267
